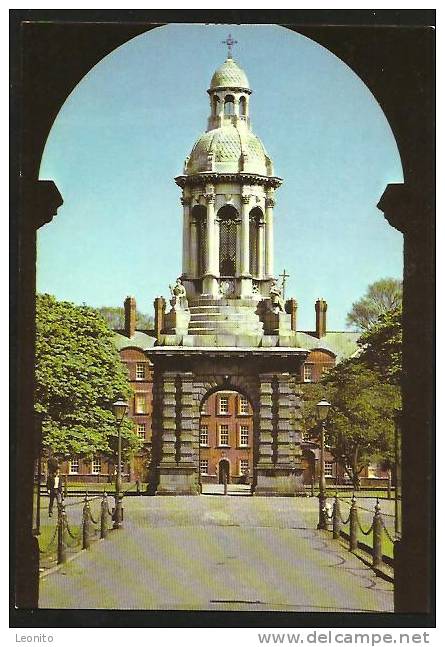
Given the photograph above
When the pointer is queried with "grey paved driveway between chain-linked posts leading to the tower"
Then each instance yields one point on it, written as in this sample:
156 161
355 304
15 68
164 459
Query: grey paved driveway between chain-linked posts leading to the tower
217 553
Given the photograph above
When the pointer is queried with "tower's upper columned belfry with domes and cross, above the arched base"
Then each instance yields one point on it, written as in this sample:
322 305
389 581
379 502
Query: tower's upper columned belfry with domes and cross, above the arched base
228 186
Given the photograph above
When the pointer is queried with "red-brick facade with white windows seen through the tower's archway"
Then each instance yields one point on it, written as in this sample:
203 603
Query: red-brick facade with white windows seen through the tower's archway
226 441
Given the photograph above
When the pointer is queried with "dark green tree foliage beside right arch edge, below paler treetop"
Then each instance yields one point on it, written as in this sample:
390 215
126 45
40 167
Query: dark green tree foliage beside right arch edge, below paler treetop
382 346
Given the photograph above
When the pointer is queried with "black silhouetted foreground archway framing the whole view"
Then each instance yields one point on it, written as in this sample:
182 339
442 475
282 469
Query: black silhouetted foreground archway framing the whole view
397 67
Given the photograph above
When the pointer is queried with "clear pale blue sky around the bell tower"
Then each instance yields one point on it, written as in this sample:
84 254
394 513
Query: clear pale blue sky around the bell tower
124 132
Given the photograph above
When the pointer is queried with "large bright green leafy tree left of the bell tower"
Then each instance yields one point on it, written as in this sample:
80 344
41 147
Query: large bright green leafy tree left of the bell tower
78 377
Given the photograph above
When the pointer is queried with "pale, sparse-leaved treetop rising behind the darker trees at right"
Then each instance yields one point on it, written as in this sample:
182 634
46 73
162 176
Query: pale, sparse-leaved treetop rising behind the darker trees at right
382 296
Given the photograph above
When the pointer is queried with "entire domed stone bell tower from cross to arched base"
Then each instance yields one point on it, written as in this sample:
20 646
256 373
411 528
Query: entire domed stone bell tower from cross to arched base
228 327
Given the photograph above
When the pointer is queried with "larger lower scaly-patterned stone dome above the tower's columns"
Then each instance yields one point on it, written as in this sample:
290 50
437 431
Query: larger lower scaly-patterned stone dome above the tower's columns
229 149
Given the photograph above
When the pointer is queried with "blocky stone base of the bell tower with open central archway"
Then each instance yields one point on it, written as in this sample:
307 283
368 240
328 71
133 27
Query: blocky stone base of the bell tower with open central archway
269 378
